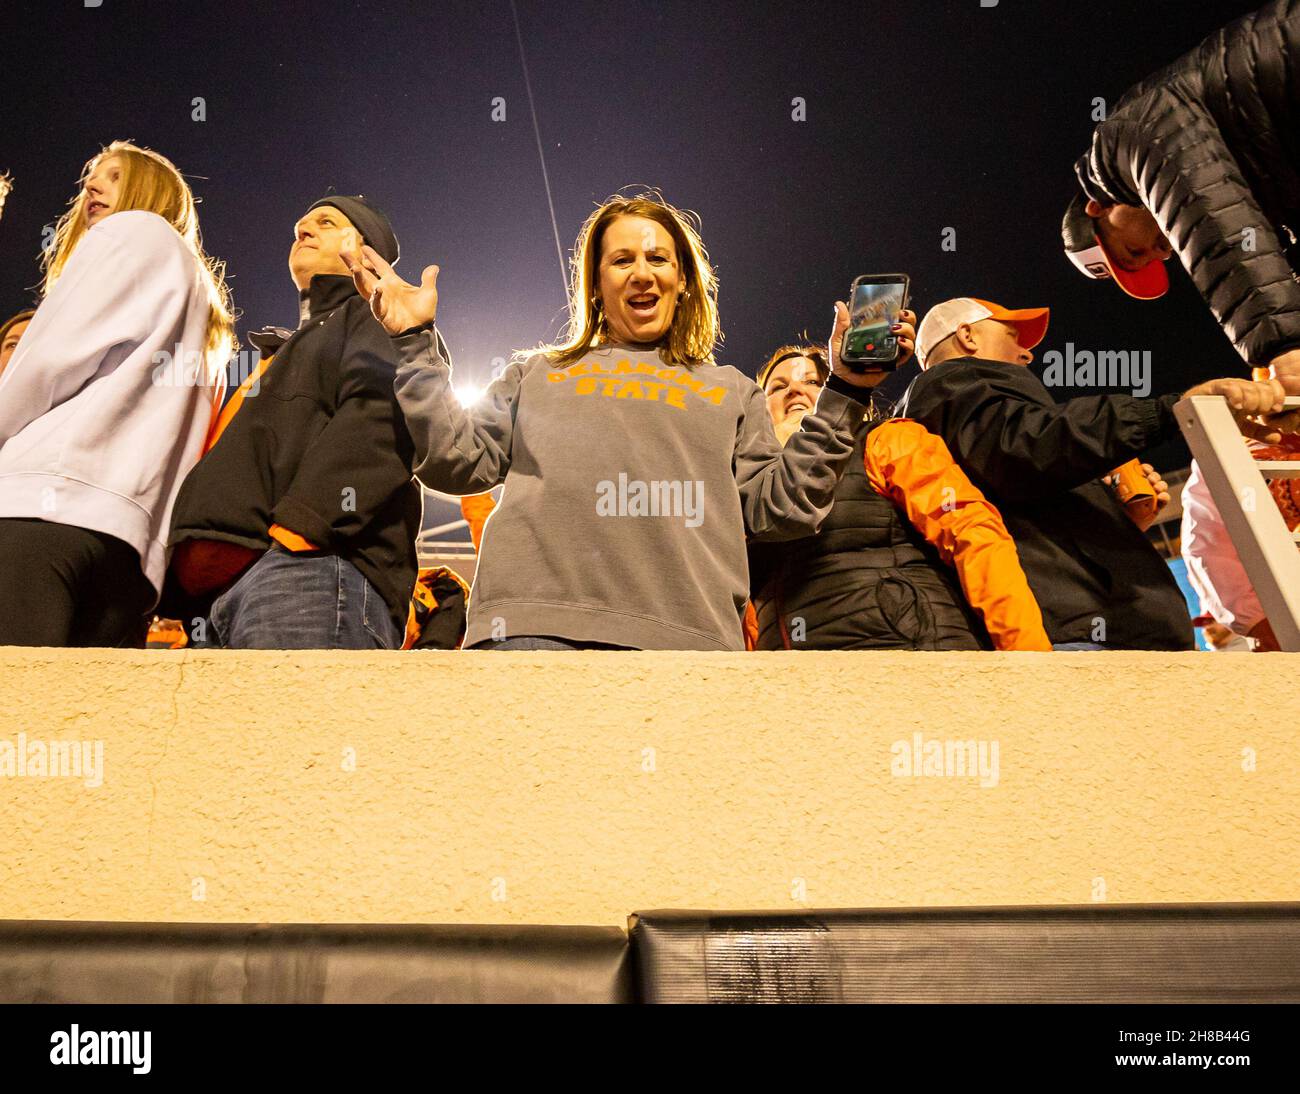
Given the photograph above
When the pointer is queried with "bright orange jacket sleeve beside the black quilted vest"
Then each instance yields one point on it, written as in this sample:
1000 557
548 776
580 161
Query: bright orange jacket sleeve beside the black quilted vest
913 468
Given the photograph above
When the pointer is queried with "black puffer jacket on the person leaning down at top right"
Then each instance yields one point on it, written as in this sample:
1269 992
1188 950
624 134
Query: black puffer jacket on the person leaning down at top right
1211 146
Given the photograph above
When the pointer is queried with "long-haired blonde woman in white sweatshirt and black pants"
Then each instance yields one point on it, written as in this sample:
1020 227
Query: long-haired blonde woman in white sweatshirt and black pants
106 406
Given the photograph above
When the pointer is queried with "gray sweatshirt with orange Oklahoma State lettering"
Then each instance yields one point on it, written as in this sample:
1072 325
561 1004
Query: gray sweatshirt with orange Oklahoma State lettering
631 488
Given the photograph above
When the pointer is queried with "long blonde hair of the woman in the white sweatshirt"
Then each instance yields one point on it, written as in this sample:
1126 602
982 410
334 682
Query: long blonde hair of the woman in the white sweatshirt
151 184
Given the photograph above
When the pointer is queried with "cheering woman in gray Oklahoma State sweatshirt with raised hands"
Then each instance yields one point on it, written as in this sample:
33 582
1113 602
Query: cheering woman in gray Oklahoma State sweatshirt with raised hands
635 467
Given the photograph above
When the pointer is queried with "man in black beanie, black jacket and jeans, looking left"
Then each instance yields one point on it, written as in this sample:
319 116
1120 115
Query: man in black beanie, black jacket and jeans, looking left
297 529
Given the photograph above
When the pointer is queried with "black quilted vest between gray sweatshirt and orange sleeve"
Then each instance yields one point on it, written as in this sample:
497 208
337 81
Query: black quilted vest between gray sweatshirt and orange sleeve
866 581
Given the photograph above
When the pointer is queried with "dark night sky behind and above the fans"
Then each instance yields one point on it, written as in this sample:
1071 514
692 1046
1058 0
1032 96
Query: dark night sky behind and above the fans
920 116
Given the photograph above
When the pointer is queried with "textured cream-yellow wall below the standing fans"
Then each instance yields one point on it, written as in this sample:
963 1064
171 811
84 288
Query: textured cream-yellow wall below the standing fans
554 788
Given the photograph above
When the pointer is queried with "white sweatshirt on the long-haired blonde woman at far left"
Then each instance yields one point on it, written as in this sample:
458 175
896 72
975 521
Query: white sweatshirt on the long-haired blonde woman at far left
105 406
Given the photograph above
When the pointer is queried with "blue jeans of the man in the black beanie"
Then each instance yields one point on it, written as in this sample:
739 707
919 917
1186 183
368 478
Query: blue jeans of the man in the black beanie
302 602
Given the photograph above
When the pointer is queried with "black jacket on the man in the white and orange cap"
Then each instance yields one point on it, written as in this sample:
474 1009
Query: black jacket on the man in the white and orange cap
1041 462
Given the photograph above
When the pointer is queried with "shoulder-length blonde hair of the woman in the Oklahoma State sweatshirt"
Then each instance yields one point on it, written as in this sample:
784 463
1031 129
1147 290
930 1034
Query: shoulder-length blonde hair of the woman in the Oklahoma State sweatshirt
695 328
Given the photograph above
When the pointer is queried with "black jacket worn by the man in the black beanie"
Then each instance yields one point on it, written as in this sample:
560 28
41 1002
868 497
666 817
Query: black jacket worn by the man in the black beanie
320 449
